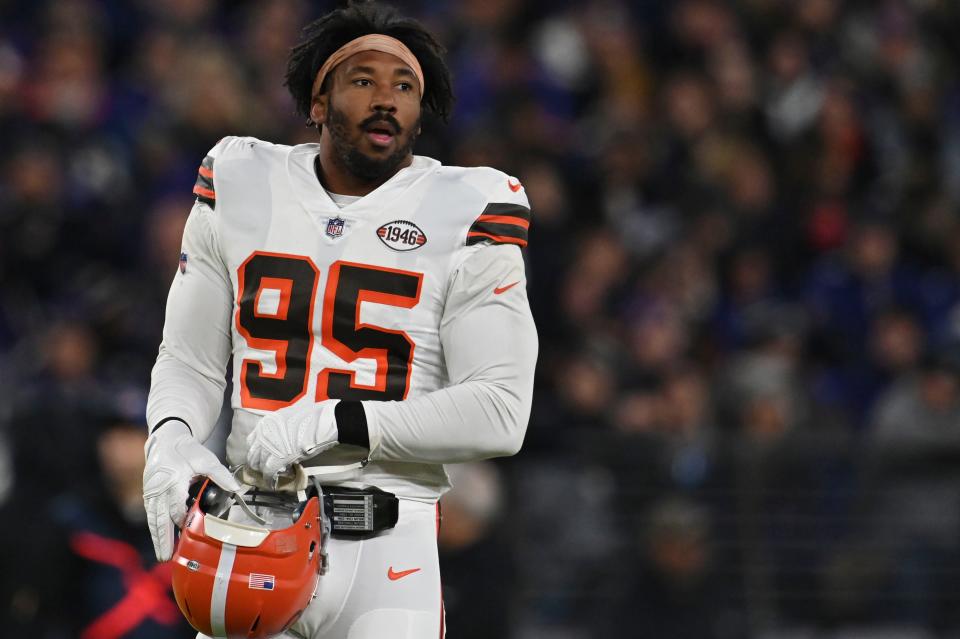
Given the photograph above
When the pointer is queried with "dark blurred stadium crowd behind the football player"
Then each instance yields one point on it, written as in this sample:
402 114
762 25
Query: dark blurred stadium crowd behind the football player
744 266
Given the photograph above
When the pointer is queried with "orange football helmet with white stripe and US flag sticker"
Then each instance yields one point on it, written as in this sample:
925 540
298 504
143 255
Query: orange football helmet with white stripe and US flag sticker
236 580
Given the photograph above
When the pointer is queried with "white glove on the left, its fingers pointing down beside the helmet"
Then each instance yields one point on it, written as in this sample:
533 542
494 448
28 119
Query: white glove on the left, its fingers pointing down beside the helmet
174 459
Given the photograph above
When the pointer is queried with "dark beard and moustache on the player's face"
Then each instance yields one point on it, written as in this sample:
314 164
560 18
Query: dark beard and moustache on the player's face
360 165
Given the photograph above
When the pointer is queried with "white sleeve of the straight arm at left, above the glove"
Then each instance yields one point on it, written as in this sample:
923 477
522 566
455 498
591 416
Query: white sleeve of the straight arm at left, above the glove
188 378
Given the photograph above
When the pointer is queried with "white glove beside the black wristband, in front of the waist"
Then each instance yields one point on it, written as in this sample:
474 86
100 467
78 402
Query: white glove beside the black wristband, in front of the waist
291 434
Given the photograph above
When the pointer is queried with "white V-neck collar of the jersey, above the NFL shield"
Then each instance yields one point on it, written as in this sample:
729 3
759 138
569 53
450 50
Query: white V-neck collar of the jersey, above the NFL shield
316 200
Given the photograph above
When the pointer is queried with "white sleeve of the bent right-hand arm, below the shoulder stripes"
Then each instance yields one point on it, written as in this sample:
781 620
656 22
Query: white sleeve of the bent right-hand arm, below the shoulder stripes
489 342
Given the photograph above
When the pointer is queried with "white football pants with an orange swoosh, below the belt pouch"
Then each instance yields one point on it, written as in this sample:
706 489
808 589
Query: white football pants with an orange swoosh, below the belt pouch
387 586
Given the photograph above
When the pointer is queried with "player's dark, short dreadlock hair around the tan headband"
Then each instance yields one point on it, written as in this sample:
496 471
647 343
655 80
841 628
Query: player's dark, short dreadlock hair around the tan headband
322 37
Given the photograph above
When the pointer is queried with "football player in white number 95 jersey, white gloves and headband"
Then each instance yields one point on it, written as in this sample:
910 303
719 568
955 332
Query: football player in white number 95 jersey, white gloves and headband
374 304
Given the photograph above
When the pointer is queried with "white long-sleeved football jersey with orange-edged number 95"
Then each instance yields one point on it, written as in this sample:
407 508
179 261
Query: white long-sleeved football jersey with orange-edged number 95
411 299
